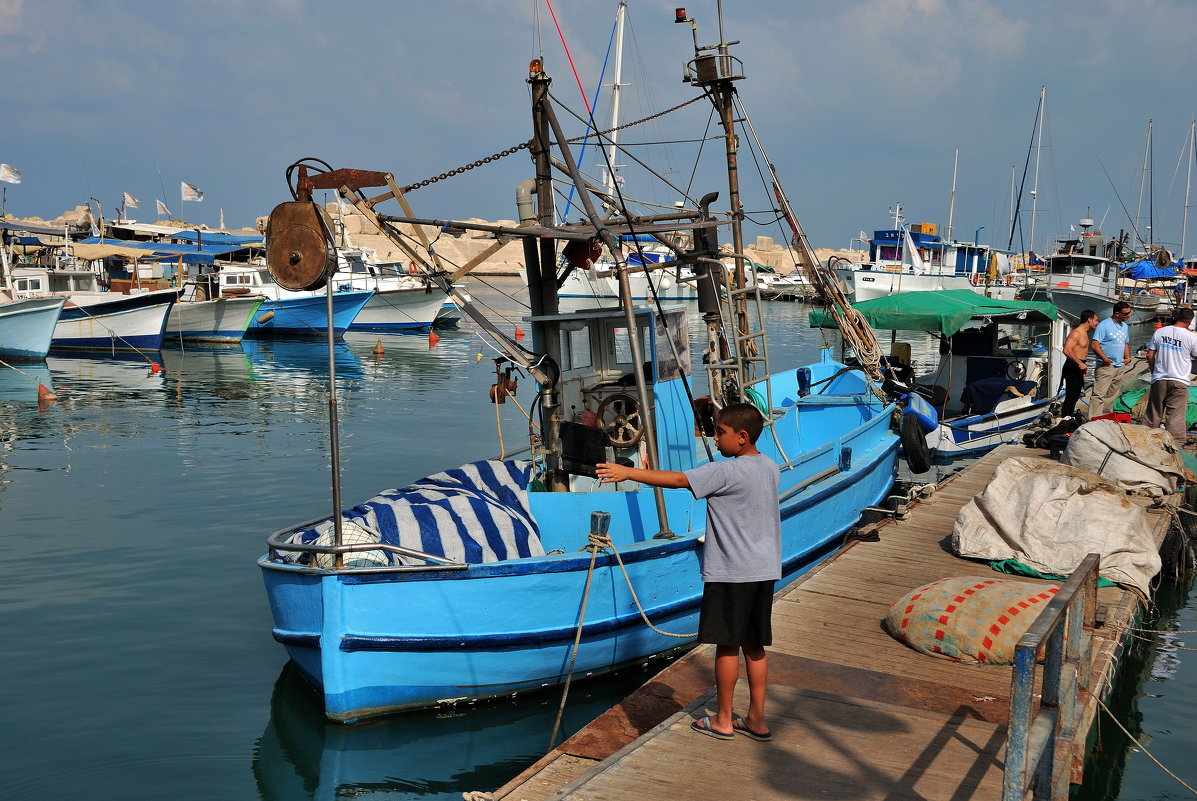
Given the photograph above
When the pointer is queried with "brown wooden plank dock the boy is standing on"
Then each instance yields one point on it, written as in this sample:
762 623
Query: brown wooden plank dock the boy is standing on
855 714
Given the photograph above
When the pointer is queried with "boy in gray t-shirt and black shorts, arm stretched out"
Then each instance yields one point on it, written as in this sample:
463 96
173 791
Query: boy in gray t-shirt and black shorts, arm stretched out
742 562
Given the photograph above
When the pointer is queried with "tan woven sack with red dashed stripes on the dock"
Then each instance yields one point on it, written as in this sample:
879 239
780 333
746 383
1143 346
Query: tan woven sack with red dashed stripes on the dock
969 618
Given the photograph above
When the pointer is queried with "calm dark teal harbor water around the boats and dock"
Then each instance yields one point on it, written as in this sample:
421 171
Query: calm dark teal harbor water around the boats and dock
139 662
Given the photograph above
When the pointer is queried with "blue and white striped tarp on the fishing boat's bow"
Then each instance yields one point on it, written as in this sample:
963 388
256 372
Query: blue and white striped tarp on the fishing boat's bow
473 514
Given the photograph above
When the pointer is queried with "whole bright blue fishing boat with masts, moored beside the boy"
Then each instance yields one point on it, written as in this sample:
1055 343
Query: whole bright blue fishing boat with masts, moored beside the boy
509 575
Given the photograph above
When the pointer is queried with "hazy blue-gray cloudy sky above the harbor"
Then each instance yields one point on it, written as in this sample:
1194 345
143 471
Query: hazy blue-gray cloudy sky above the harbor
861 105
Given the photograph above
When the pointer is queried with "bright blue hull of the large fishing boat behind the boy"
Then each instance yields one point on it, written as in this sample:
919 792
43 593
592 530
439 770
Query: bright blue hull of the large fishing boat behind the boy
379 641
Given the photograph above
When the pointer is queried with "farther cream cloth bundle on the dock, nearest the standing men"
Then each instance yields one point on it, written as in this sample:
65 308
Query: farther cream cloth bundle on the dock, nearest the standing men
1138 459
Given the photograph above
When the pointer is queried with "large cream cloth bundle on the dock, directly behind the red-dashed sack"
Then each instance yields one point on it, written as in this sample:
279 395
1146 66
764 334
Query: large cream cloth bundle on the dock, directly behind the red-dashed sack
1050 515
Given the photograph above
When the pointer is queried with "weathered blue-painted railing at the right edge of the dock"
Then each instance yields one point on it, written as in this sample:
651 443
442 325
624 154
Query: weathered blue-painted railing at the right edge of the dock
1041 743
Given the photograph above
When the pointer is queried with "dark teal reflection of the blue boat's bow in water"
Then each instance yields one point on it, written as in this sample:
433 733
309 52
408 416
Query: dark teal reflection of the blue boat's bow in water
424 755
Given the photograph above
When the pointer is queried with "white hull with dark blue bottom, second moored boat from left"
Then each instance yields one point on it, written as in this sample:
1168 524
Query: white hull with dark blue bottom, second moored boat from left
124 323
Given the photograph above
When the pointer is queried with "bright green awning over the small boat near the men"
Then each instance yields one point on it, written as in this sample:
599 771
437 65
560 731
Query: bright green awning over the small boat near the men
944 311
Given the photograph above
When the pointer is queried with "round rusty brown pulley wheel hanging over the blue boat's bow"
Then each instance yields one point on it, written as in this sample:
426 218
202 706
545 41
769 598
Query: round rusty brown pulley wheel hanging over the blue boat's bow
297 250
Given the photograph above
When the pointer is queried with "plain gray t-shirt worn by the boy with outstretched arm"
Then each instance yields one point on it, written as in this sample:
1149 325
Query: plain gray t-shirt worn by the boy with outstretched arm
744 524
